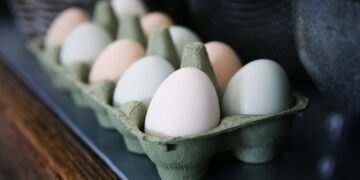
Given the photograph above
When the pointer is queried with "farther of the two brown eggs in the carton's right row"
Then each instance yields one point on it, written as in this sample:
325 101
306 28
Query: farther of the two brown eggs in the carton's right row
152 20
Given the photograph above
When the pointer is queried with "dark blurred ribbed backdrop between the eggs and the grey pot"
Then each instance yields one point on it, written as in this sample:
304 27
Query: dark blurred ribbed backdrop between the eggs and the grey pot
255 29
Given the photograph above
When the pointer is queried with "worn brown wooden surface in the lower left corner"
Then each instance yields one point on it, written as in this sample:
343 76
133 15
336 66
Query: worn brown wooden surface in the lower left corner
34 144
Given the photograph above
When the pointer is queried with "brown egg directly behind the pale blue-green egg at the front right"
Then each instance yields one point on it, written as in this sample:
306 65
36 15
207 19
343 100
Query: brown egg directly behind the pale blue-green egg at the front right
224 61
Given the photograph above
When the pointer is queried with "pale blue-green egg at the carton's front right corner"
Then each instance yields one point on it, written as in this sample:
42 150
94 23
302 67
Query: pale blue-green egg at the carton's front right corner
260 87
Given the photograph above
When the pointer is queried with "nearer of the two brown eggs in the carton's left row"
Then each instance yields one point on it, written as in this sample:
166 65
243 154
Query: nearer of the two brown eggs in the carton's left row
115 59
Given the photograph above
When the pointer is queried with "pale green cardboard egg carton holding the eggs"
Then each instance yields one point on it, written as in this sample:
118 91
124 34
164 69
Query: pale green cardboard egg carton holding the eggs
251 138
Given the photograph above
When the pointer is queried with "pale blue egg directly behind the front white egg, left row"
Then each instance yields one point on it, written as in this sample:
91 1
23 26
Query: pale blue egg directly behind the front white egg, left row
140 81
